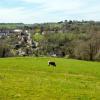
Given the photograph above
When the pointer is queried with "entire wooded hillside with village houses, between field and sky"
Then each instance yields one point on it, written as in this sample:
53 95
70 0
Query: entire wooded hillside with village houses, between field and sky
72 39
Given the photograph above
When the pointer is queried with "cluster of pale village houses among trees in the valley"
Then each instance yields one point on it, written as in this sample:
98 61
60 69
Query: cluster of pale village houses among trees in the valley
22 37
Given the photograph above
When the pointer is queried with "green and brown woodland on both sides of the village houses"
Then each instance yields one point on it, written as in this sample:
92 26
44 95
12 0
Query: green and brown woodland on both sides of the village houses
73 39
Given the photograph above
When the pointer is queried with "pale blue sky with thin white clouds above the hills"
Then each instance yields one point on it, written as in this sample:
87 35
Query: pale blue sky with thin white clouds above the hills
40 11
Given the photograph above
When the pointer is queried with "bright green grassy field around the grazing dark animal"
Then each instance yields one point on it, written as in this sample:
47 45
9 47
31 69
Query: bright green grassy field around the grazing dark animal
32 79
